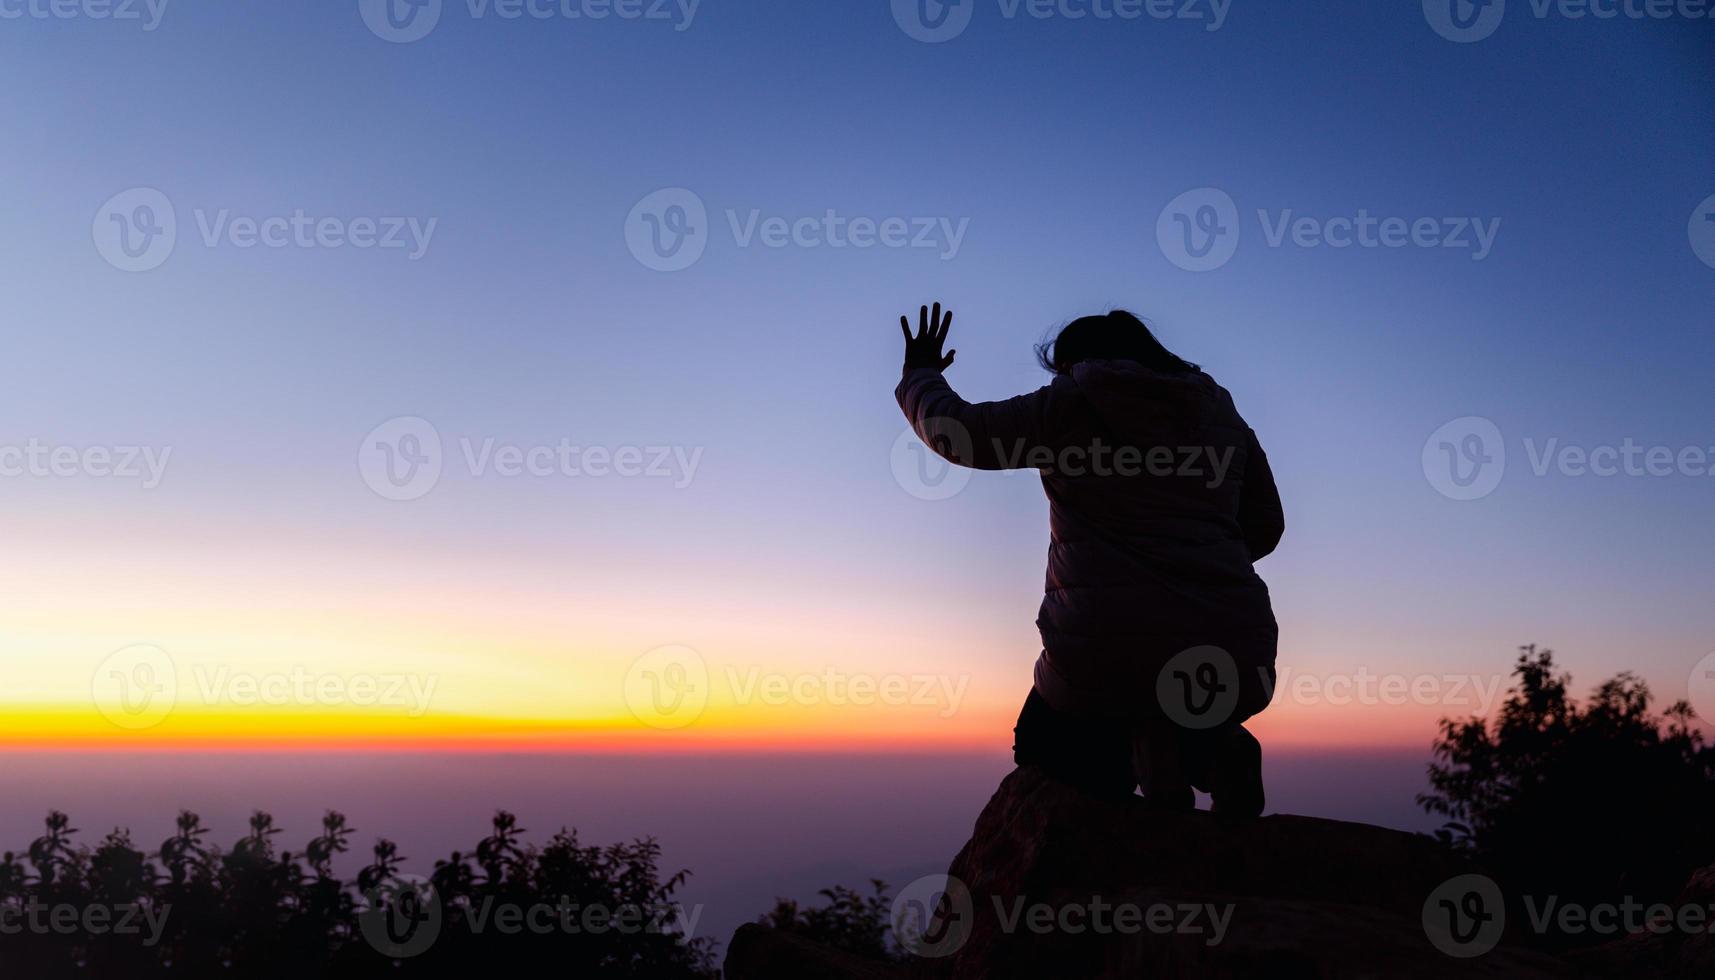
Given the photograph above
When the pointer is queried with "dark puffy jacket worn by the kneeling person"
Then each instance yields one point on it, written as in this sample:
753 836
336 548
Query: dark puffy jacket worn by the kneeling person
1160 502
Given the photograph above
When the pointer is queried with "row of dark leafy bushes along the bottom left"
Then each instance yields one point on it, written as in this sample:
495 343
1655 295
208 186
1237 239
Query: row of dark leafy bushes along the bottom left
193 910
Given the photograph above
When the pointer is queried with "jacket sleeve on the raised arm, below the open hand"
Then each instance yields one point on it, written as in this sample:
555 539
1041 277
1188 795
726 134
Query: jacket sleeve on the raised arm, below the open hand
987 437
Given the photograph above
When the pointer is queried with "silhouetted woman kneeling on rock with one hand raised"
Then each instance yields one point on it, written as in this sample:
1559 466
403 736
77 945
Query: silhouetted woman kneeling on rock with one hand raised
1158 636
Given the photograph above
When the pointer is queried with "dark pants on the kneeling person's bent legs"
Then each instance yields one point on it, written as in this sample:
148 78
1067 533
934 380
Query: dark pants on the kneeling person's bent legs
1107 758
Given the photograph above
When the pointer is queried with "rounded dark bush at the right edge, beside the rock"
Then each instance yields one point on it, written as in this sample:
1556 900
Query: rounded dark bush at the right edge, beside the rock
1589 804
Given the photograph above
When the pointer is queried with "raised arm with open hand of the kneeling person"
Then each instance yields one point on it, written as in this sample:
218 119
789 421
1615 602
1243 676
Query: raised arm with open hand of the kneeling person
985 437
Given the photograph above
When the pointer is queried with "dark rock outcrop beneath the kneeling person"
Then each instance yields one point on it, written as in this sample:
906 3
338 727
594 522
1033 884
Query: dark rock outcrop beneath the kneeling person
1057 885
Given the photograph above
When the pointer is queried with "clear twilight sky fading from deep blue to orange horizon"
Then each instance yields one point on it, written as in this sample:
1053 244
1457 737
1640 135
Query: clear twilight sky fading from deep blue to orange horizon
793 550
